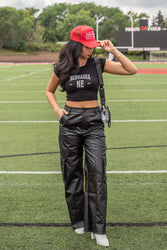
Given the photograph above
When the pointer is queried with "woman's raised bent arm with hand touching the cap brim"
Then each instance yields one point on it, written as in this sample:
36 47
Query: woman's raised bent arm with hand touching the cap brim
124 67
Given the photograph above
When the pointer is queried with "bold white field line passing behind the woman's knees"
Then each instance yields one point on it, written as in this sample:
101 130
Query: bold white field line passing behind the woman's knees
108 172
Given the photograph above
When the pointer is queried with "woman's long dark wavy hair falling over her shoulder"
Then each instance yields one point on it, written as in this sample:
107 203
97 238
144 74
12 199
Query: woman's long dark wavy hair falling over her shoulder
68 60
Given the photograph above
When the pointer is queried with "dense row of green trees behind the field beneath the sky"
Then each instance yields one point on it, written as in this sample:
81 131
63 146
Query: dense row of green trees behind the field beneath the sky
19 27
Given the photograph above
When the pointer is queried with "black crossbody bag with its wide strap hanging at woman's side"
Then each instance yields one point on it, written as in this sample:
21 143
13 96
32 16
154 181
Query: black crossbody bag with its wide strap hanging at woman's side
105 112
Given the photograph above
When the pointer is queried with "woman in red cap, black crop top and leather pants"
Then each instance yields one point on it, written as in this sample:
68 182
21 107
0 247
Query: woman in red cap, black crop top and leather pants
81 127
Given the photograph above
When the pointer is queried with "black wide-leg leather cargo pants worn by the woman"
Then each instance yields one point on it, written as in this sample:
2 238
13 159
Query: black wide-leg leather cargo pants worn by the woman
85 189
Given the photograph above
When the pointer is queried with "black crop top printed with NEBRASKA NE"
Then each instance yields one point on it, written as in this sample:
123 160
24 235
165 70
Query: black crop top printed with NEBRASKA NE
83 86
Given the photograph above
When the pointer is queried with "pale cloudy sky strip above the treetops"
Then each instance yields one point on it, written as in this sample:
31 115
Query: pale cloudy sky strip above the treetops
150 7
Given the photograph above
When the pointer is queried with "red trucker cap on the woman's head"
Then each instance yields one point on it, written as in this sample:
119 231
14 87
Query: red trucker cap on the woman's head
85 35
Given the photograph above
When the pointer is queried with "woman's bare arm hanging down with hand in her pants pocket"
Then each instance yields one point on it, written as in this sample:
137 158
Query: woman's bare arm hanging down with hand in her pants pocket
50 94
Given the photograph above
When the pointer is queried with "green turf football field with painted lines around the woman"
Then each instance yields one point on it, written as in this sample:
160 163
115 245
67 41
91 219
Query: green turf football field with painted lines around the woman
136 141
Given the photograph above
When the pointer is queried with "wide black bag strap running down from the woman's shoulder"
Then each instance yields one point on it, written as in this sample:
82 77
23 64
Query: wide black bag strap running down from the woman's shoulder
101 83
